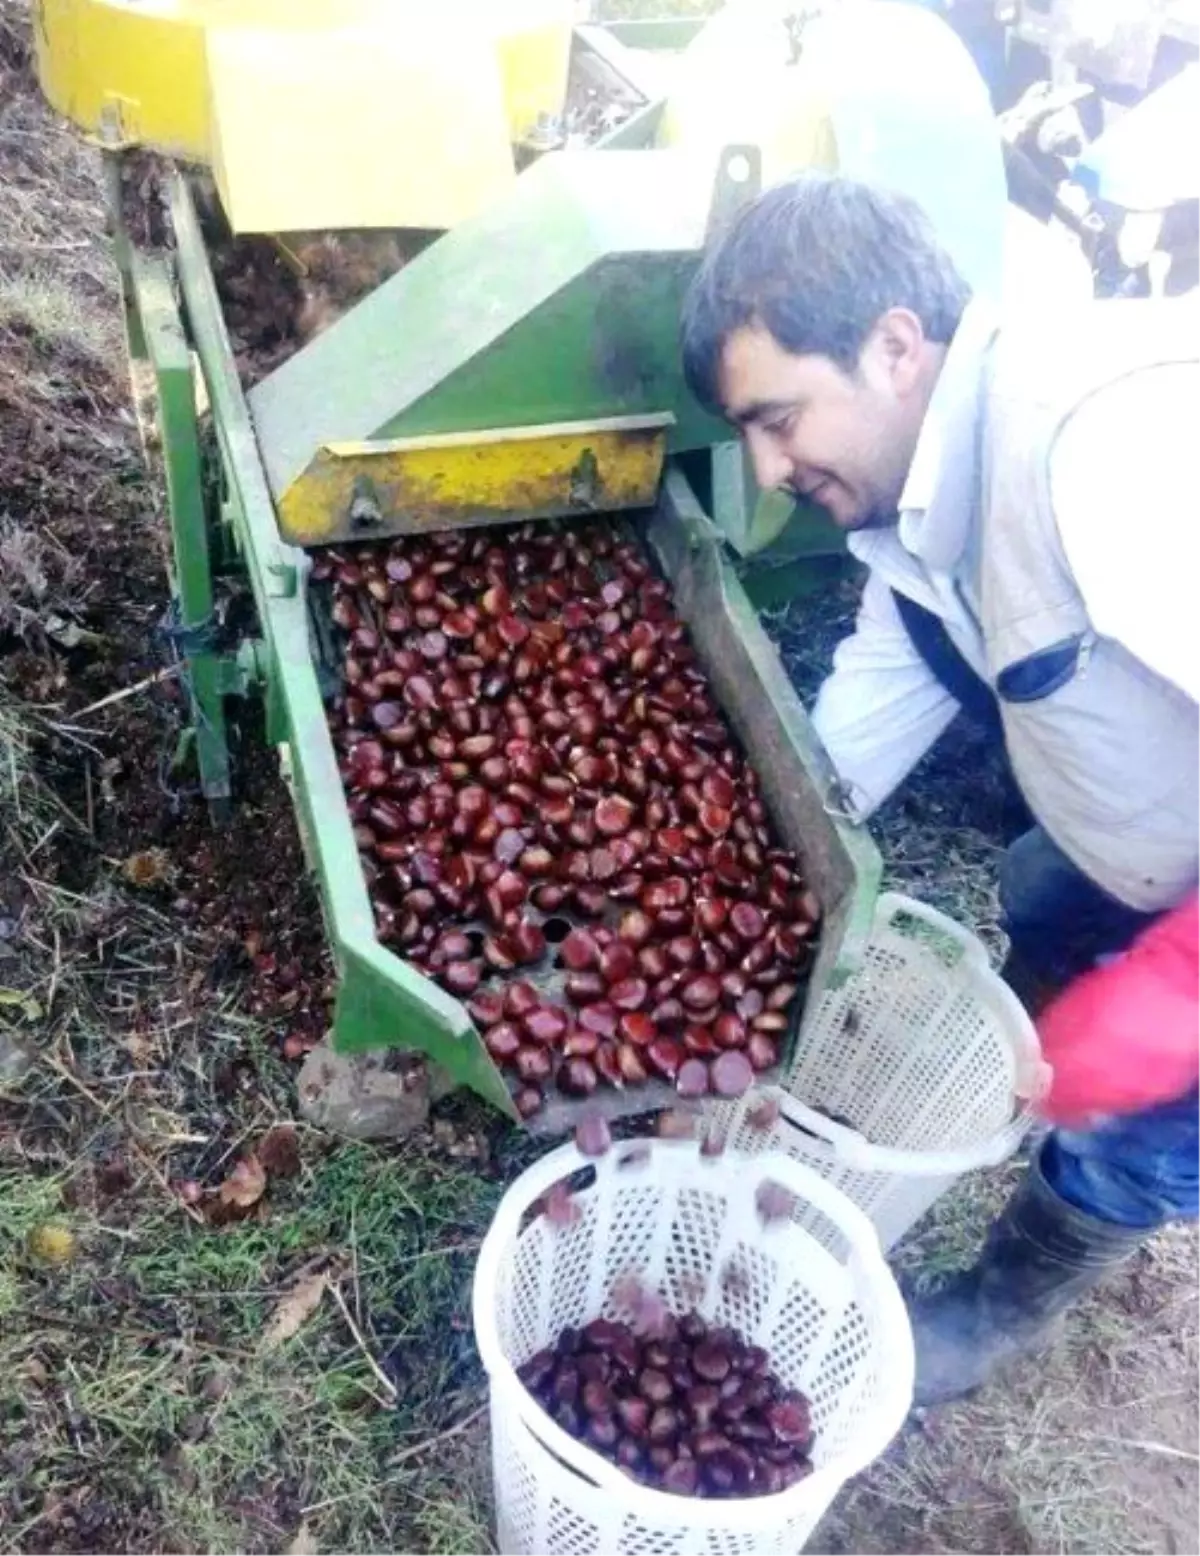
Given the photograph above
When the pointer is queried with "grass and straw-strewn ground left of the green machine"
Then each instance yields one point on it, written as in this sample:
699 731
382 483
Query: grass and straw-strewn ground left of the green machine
146 1414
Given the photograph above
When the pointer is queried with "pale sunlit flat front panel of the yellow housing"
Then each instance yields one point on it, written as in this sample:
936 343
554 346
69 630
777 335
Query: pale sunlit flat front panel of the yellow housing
357 127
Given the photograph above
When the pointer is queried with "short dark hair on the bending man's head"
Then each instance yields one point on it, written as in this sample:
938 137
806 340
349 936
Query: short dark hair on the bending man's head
818 262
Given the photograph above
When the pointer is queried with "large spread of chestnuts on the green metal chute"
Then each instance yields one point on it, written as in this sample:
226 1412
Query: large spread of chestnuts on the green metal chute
555 819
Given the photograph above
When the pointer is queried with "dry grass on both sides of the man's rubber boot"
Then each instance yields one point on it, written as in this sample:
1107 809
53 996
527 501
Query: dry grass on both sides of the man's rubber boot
1087 1449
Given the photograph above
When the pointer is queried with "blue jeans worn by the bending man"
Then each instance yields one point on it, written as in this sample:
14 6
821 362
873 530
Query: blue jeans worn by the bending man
1139 1171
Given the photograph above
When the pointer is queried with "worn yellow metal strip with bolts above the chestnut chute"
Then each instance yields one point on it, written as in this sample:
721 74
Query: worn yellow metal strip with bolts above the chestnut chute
461 480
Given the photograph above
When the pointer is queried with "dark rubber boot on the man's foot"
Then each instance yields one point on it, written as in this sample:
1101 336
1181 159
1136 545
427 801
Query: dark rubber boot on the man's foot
1039 1258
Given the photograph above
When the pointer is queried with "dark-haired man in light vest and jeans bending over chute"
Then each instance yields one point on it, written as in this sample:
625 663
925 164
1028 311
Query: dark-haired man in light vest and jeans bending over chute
1026 502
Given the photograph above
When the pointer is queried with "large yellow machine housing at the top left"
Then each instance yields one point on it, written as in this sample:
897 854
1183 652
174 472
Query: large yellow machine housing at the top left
317 113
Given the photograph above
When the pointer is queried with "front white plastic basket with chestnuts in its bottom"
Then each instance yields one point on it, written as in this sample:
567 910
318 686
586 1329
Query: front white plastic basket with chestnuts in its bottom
813 1291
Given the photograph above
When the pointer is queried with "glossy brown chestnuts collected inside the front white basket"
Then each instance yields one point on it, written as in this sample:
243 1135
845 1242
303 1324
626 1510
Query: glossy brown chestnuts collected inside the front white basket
692 1409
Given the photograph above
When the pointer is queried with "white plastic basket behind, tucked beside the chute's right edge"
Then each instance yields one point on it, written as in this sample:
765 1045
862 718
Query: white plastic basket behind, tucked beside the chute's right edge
928 1059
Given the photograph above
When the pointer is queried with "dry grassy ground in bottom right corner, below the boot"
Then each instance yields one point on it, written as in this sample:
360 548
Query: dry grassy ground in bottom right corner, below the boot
1058 1459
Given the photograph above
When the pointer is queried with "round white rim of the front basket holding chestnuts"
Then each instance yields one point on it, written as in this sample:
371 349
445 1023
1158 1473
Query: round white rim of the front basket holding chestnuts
735 1513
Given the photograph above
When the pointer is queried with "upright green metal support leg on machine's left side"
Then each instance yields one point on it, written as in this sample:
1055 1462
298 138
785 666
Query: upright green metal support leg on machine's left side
194 580
